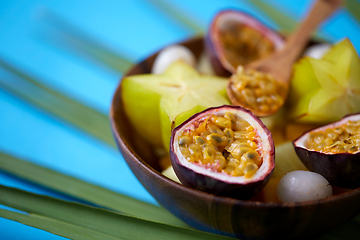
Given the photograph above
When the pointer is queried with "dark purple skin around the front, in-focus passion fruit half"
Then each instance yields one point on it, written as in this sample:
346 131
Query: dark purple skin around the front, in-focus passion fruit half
218 187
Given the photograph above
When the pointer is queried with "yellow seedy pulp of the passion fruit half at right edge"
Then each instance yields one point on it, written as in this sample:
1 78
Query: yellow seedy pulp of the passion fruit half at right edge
344 138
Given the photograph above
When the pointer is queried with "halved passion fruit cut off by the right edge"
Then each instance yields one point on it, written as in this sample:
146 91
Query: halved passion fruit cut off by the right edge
333 151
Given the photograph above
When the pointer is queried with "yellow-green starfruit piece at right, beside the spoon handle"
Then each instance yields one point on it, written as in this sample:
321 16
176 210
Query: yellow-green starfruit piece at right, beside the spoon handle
327 89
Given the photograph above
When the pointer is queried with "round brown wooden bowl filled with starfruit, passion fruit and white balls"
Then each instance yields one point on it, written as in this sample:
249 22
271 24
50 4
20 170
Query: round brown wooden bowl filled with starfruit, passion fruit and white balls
240 173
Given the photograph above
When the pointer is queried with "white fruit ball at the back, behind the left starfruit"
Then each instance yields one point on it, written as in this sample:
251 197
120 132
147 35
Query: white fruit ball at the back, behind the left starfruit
171 54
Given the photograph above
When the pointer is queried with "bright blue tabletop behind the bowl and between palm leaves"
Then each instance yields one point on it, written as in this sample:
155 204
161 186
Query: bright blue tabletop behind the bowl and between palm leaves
80 49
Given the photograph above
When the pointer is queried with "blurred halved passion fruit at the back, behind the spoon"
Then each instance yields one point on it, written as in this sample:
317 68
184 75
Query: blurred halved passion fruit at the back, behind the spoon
235 38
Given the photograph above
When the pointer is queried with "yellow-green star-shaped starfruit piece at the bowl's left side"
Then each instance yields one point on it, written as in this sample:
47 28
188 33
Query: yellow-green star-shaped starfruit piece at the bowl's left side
155 104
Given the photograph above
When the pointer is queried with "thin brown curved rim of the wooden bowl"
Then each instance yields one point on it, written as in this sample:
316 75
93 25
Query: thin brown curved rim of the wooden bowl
203 195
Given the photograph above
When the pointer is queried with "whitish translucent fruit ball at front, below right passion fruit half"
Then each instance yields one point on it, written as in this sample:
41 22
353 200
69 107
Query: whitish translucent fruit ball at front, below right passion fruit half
299 186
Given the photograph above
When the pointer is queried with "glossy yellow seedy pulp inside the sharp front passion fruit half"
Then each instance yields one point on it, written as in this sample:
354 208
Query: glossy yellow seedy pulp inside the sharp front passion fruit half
224 143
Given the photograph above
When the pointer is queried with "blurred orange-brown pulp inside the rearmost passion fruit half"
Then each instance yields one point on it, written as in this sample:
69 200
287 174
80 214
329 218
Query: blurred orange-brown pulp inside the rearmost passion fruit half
243 44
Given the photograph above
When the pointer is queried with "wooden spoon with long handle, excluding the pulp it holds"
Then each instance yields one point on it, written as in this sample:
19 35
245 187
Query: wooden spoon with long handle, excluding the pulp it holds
279 64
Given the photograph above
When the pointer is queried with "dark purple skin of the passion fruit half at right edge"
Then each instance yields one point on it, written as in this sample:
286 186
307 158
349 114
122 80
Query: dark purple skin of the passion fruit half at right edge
342 170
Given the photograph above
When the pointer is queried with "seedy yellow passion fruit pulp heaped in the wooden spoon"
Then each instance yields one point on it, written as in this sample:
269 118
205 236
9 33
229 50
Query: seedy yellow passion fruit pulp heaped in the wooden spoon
257 91
